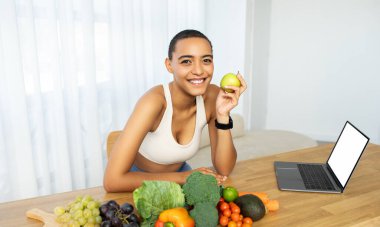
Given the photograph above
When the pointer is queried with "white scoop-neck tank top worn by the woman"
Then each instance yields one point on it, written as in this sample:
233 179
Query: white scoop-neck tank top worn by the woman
161 147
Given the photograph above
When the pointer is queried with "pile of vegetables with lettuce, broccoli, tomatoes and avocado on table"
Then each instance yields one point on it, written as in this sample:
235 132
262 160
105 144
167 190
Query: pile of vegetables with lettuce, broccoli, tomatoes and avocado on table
196 203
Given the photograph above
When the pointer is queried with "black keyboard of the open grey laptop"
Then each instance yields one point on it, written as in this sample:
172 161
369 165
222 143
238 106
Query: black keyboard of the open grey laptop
315 177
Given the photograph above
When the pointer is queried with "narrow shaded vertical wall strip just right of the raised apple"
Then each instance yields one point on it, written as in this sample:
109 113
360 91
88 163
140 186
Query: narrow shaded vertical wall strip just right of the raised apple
258 38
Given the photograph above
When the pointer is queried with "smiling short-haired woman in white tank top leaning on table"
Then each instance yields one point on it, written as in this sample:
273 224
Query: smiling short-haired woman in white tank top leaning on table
164 129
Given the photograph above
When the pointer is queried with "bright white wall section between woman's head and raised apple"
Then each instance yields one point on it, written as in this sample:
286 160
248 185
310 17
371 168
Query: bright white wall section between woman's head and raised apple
226 29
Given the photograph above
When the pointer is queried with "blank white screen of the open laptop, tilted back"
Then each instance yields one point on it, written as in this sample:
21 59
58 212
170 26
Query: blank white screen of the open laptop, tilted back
346 153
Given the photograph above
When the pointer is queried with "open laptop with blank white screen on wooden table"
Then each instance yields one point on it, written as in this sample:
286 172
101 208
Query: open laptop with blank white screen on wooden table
329 177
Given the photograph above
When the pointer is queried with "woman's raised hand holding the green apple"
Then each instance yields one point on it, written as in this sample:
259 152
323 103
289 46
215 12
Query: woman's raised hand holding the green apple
225 102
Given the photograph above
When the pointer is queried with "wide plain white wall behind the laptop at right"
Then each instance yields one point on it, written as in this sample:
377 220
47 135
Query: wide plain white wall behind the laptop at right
323 66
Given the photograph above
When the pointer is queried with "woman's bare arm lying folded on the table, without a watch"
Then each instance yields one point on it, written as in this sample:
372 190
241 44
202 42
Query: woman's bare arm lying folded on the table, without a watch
117 176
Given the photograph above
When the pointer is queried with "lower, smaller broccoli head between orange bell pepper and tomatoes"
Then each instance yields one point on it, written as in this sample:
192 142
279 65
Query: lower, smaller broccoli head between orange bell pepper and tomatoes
205 215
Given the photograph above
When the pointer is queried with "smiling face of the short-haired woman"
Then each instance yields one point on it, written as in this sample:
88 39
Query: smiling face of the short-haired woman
192 65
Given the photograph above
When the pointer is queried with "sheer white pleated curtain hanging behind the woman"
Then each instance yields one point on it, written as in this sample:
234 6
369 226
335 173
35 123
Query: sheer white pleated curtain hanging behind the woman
71 72
